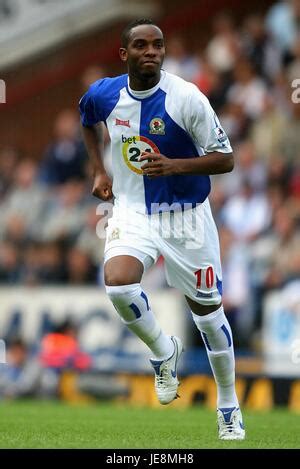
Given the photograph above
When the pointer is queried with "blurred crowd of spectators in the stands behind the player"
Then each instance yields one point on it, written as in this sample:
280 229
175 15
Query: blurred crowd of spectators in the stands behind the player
249 72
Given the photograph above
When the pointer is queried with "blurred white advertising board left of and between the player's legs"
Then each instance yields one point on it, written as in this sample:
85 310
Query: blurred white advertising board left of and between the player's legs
27 312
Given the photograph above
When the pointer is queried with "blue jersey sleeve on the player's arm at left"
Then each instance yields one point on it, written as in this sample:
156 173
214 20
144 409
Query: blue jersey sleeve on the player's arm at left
90 113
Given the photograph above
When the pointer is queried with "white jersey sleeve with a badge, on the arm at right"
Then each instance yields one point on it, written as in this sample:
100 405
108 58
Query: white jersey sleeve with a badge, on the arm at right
205 126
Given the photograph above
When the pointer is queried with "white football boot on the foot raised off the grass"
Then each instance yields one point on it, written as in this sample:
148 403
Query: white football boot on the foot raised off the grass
166 382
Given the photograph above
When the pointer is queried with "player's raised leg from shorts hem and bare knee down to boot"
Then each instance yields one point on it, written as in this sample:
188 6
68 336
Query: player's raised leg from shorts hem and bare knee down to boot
123 274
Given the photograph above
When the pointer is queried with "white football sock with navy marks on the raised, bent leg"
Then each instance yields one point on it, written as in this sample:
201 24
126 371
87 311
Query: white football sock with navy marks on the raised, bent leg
133 307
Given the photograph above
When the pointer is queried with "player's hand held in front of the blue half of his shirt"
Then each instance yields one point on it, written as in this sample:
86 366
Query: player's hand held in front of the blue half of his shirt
157 165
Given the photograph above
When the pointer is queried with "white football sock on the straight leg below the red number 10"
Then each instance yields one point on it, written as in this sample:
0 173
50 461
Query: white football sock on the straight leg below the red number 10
217 336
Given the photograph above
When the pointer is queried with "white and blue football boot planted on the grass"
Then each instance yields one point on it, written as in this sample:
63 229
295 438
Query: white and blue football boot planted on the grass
230 424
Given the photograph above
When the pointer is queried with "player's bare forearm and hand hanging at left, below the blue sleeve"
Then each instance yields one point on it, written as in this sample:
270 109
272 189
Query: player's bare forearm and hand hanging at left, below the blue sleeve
93 140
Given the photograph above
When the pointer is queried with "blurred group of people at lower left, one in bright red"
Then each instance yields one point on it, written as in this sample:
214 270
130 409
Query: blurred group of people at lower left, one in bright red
45 372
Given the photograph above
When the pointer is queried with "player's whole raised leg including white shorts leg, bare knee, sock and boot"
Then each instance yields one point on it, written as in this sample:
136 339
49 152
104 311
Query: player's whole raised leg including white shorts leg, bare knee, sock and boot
131 249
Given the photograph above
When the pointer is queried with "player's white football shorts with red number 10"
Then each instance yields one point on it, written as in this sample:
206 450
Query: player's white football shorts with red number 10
187 240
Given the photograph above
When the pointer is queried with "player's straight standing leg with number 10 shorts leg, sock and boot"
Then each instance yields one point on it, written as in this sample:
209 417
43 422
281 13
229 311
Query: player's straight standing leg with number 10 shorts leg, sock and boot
196 271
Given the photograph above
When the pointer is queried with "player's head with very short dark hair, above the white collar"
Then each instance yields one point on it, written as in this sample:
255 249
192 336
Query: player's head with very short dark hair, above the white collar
145 51
